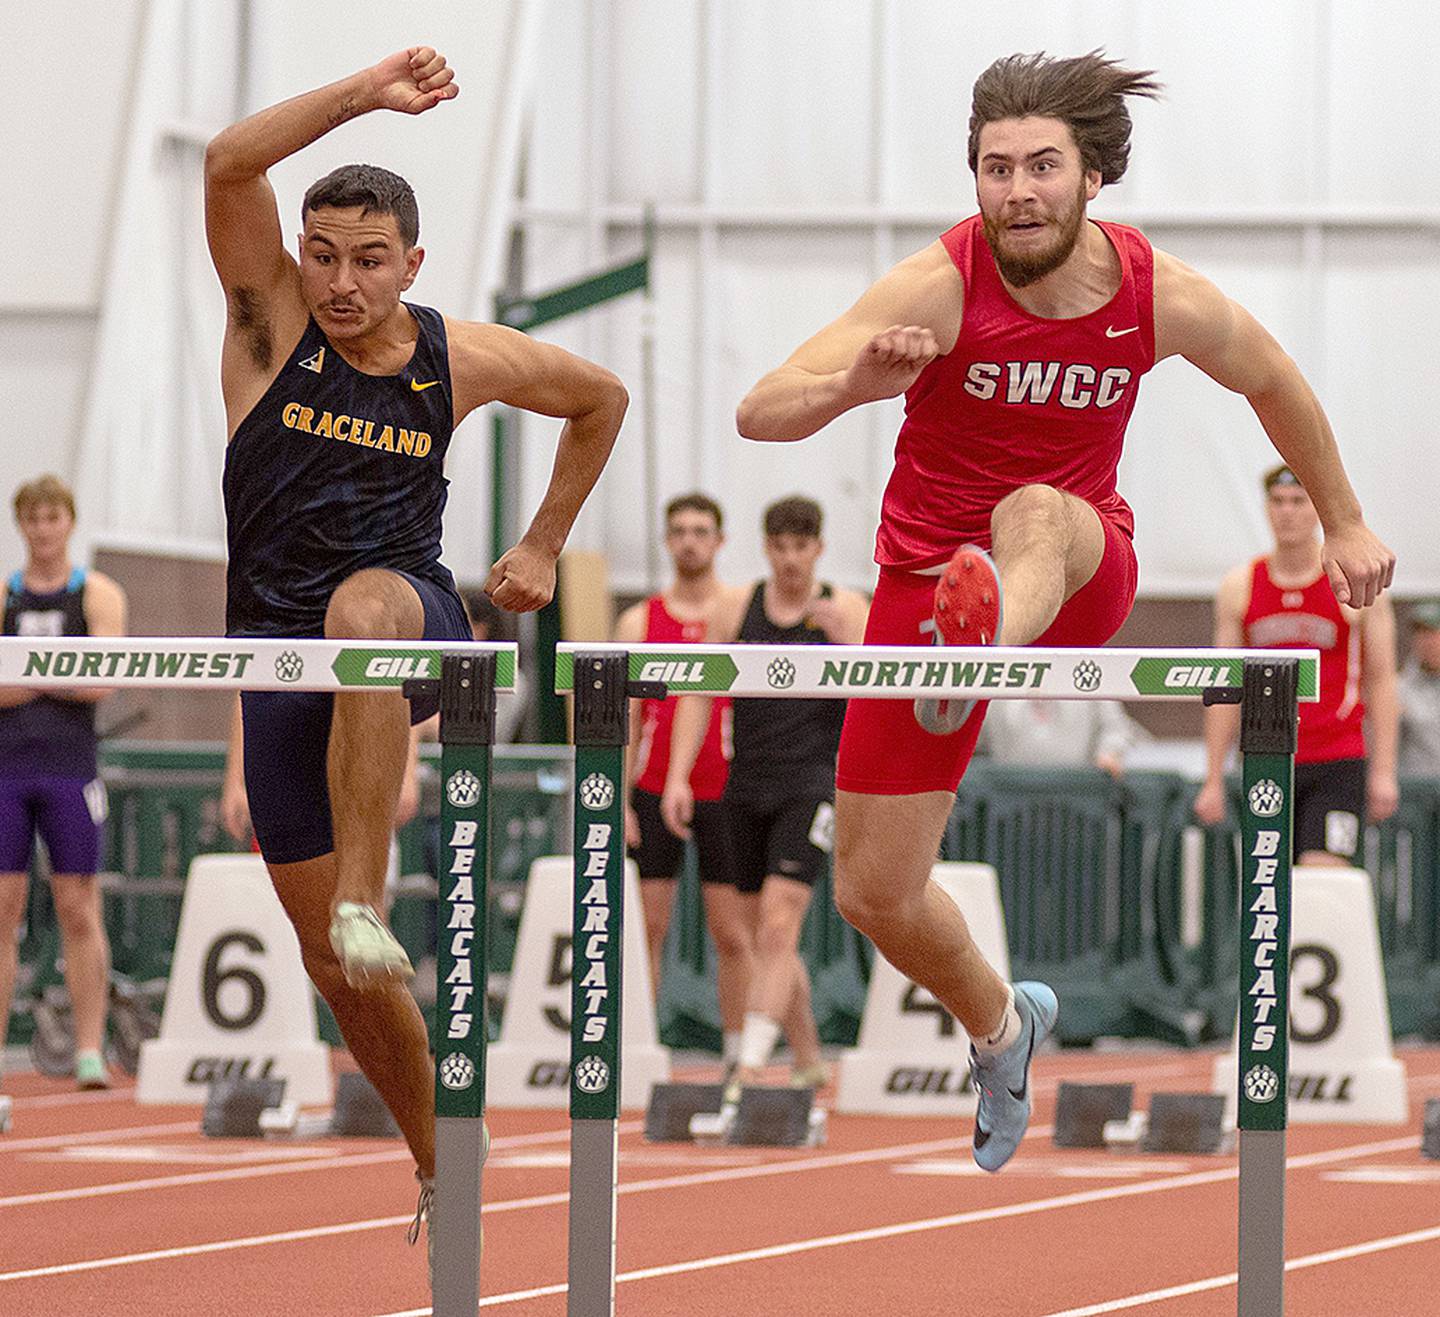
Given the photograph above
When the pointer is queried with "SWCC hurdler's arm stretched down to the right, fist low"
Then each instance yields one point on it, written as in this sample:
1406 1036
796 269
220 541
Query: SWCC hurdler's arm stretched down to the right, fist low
1196 320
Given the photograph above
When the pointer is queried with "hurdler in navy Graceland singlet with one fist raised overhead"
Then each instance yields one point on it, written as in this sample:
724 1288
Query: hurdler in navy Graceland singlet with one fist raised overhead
341 401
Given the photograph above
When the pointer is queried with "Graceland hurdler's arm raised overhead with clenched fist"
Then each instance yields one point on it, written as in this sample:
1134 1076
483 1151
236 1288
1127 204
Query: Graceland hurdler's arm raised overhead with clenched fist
261 280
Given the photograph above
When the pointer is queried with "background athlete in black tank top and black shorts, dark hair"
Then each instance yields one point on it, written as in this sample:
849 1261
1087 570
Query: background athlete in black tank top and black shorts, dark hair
783 778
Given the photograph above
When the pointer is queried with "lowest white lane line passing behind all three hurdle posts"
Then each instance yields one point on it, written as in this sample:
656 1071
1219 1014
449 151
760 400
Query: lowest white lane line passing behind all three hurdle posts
941 1223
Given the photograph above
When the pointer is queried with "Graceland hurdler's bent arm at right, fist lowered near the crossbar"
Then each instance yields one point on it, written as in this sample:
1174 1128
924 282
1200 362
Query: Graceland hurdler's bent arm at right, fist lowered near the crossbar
490 363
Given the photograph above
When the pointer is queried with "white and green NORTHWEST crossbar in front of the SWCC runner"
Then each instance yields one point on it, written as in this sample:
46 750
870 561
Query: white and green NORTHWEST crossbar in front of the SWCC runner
904 673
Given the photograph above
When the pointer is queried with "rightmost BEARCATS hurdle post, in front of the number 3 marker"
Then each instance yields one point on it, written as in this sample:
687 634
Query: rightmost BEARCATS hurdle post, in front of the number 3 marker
1268 739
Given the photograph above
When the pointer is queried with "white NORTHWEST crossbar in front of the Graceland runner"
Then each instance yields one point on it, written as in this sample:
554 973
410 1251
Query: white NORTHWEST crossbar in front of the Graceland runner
234 664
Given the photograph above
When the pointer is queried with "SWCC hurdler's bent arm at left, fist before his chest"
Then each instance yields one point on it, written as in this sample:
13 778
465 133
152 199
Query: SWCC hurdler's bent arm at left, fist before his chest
878 349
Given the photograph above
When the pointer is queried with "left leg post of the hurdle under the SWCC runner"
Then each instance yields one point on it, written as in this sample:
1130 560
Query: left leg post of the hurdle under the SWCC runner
601 732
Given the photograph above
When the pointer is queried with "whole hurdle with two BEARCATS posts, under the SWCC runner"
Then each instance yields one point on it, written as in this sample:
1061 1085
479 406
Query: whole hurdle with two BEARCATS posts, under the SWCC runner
1268 684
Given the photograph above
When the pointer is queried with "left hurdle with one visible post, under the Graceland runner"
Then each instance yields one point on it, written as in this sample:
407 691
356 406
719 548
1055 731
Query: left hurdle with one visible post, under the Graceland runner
466 676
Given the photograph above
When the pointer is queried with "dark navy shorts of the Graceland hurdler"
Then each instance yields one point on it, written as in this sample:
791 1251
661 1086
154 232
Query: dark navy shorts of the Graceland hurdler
287 742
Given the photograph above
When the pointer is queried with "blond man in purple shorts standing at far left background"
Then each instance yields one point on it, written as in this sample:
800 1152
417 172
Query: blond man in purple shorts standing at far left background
50 779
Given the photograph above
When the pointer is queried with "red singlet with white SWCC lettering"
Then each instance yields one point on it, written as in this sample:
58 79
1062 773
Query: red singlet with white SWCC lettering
1020 401
